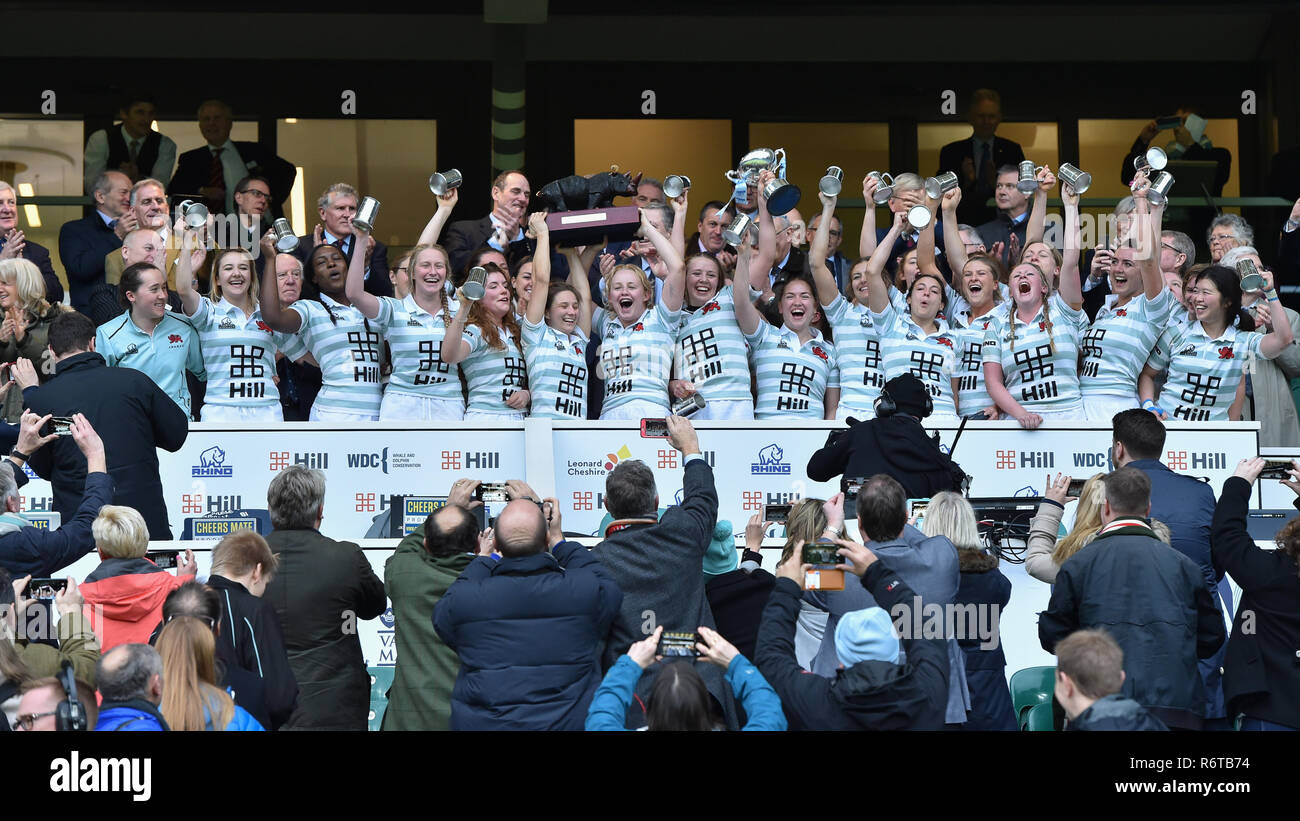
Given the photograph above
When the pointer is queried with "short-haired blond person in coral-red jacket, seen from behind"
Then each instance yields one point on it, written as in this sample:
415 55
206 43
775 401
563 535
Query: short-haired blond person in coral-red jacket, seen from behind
125 593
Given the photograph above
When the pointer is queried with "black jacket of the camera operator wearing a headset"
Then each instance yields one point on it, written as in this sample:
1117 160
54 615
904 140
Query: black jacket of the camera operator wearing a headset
896 445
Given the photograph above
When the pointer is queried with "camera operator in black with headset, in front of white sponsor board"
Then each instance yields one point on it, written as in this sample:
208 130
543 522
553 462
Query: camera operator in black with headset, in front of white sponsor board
894 444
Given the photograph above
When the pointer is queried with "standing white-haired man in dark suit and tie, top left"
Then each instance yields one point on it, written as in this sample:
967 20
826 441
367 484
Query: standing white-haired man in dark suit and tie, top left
216 171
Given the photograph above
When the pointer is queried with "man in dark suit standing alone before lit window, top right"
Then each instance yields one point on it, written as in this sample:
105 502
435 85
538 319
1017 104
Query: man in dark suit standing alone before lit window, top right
977 159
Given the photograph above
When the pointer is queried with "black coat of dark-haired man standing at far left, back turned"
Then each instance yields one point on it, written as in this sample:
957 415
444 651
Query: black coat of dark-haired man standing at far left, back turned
132 415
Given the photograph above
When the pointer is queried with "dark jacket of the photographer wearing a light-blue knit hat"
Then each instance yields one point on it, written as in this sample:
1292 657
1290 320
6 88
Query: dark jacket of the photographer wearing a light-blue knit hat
870 696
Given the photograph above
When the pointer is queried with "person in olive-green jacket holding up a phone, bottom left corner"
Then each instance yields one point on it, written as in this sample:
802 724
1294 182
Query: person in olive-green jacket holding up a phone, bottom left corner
24 657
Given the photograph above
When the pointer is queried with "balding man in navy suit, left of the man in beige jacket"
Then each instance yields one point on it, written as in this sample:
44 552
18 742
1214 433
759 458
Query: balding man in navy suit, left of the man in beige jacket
84 245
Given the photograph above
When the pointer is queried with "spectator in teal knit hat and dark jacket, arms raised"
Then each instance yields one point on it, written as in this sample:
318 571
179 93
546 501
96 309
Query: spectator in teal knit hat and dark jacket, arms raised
738 593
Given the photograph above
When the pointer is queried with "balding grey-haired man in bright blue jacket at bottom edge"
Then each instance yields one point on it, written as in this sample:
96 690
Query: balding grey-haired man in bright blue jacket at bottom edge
131 687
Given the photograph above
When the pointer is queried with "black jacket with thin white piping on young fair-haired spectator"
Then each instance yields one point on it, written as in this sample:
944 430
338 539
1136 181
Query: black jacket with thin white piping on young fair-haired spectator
252 641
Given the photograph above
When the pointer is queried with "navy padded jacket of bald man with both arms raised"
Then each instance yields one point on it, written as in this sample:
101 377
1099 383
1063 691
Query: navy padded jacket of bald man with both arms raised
528 632
